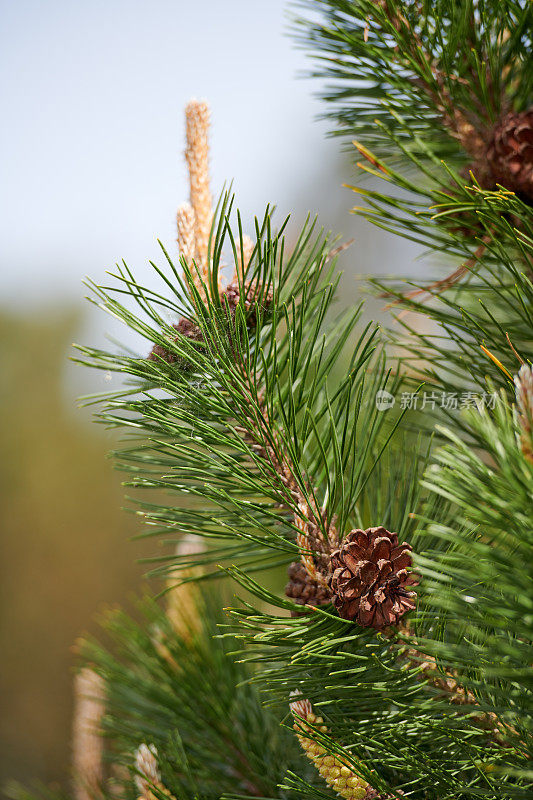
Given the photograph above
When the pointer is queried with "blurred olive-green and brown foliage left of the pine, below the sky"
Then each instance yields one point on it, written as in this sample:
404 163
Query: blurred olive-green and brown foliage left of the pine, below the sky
64 547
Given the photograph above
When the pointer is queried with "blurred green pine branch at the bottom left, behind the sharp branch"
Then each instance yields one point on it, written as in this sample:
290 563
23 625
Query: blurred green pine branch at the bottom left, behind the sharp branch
189 699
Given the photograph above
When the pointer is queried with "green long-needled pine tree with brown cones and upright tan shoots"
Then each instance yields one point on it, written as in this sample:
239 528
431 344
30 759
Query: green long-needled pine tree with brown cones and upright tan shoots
397 662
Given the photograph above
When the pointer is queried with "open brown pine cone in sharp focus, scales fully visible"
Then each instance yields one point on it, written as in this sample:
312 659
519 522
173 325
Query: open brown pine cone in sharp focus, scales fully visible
369 579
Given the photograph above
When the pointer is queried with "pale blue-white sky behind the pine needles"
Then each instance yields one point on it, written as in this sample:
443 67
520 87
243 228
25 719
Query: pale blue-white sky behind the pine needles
91 149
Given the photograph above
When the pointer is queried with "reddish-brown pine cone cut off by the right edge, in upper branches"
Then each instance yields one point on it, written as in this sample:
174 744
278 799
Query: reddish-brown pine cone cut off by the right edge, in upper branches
510 154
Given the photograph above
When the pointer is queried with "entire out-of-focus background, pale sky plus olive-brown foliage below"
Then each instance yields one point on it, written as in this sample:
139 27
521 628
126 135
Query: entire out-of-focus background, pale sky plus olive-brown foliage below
92 169
